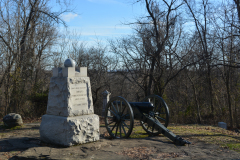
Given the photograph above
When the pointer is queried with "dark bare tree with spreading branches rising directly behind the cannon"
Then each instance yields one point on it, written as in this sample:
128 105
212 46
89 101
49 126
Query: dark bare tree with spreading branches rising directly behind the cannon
151 57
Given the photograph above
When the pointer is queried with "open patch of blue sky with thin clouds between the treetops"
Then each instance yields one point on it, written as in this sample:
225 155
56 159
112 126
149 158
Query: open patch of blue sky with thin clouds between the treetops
101 19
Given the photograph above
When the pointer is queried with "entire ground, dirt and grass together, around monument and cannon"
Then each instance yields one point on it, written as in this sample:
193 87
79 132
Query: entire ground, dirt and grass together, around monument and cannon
24 143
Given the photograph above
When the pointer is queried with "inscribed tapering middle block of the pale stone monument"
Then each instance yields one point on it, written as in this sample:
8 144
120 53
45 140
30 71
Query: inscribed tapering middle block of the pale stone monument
70 96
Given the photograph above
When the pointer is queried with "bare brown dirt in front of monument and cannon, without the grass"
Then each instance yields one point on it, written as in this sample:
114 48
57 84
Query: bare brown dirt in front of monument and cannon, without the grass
24 143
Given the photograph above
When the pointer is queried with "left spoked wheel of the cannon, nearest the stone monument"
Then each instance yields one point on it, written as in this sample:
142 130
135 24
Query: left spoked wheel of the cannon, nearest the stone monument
119 118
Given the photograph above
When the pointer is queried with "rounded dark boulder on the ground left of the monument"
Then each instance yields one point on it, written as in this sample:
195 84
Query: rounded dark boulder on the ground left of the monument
12 120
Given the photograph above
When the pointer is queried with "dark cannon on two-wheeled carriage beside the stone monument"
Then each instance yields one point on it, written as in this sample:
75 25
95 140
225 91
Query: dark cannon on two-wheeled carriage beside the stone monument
152 112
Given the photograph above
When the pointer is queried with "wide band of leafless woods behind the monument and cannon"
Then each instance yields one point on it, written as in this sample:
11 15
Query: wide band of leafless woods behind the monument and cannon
185 51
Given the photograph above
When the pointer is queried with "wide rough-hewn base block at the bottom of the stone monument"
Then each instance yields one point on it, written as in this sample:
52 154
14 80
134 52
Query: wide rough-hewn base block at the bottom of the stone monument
68 131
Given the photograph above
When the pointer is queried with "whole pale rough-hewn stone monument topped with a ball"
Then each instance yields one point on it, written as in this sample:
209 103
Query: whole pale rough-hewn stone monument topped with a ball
70 117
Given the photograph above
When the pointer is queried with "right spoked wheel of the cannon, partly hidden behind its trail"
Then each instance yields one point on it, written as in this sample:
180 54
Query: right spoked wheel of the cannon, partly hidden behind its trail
160 112
